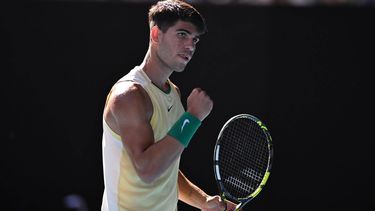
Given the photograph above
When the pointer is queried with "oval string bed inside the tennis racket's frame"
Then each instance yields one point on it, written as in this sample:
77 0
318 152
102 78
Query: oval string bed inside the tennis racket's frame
244 150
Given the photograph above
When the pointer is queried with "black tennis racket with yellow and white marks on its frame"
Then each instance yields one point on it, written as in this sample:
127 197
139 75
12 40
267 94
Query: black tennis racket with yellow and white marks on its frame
242 159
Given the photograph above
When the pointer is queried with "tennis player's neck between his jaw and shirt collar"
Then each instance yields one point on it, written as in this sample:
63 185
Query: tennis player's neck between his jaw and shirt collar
155 70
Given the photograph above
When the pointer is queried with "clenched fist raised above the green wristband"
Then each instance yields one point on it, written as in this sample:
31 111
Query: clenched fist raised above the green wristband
199 104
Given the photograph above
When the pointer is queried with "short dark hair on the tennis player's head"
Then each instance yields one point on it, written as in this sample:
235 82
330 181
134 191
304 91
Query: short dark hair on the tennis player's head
166 13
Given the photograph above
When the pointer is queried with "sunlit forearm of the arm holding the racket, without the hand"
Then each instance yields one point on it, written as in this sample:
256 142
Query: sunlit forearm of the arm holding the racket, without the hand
190 193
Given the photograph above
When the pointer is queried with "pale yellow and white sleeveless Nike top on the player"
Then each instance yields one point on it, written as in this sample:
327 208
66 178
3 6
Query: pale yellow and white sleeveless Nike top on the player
124 190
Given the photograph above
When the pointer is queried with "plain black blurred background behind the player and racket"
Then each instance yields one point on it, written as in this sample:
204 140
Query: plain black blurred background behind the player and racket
302 66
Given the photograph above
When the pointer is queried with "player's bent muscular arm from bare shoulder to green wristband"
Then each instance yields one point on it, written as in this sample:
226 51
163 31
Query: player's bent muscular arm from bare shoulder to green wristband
129 111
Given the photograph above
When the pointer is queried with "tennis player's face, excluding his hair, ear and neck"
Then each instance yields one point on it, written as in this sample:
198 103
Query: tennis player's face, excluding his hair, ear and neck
177 45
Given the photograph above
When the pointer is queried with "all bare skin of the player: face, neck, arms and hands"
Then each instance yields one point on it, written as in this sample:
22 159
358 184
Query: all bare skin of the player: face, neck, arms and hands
129 111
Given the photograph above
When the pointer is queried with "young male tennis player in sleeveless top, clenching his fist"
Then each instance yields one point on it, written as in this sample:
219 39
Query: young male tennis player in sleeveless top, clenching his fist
145 126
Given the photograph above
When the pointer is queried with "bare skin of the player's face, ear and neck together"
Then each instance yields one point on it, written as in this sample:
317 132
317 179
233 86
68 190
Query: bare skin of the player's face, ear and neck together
170 51
